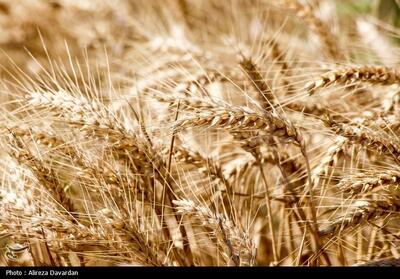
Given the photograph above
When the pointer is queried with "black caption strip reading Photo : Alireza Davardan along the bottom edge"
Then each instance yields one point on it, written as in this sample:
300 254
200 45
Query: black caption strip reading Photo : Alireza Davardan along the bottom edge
116 272
